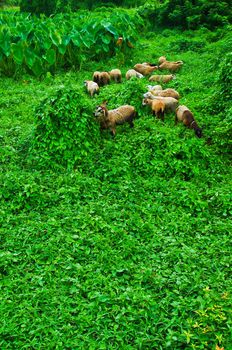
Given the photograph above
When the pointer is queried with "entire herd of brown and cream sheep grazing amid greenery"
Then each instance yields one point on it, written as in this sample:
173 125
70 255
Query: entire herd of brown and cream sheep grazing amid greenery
160 101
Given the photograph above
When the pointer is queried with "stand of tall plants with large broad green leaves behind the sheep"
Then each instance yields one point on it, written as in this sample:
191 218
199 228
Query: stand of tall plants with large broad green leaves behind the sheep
39 45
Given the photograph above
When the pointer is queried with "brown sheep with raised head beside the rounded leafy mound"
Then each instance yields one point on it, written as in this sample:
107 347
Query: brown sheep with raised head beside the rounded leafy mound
108 119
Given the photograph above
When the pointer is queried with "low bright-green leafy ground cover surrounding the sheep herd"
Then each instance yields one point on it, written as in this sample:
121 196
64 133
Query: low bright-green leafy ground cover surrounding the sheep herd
131 249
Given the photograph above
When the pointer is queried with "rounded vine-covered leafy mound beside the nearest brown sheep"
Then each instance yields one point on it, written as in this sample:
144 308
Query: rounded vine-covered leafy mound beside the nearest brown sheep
65 129
